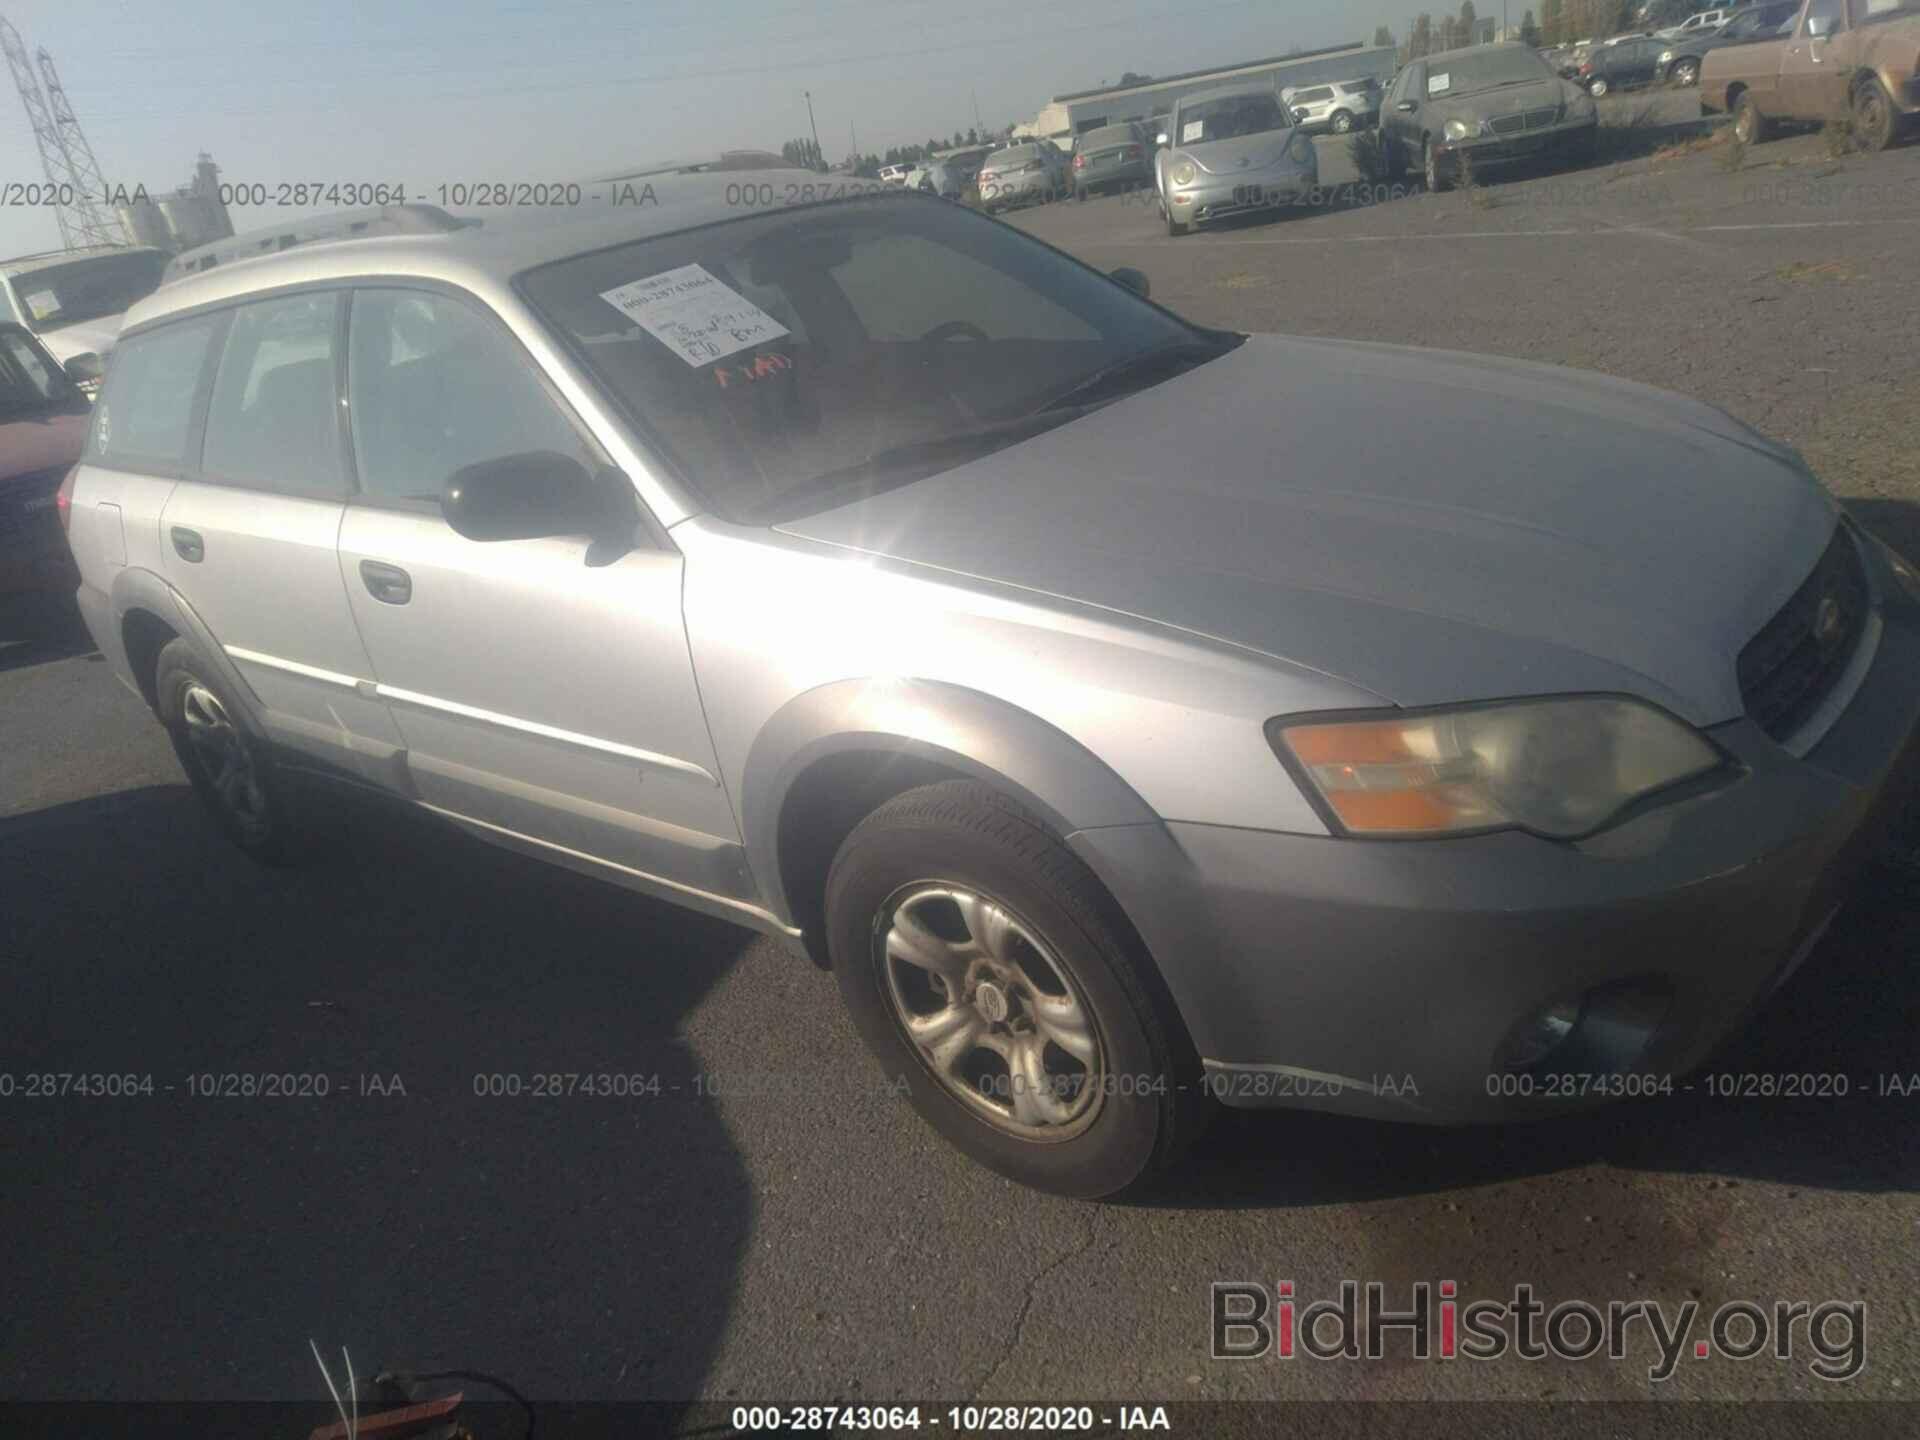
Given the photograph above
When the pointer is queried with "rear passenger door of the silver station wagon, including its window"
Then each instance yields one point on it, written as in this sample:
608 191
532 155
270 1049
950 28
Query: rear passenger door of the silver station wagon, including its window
249 535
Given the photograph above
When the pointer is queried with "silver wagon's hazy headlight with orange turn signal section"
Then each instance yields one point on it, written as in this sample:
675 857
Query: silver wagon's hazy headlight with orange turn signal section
1558 769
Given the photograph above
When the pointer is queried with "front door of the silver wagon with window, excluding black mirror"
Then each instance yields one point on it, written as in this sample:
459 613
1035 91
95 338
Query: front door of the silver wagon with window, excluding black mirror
544 694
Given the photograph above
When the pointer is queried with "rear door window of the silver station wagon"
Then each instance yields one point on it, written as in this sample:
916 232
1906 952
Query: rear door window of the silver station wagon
272 423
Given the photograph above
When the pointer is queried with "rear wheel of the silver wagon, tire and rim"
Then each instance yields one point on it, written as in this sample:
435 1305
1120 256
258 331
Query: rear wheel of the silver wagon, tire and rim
228 763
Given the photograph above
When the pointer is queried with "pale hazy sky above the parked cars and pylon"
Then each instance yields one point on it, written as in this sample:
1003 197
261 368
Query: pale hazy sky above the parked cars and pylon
429 93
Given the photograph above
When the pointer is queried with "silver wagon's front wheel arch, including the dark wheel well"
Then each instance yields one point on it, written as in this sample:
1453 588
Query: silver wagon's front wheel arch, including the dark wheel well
836 754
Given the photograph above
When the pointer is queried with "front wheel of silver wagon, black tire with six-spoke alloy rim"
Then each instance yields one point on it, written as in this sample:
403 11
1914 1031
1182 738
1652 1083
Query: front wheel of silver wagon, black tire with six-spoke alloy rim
988 969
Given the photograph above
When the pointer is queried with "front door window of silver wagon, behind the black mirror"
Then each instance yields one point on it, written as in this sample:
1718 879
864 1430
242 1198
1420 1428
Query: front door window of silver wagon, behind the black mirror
435 387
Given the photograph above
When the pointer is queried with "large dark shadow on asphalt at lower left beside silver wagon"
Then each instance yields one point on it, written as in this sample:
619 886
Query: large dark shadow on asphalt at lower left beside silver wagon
416 1186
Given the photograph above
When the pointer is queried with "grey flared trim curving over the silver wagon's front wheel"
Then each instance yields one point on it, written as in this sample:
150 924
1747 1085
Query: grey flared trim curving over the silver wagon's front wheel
961 729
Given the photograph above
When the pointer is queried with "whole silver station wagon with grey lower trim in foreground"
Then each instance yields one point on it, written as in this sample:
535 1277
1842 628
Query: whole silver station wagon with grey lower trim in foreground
1136 717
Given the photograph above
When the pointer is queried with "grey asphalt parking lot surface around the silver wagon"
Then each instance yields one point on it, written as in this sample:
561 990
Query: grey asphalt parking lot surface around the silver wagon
771 1224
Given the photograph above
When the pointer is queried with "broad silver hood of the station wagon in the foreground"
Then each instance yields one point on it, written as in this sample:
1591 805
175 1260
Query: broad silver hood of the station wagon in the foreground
1426 525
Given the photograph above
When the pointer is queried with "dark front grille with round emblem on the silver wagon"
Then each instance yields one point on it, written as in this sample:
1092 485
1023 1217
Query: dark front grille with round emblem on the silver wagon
1790 669
